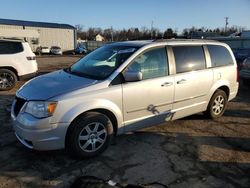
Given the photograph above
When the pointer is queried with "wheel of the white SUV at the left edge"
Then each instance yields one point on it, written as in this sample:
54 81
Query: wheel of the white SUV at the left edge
8 79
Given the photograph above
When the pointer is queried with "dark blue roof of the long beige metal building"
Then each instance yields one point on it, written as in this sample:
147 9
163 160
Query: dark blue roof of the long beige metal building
35 24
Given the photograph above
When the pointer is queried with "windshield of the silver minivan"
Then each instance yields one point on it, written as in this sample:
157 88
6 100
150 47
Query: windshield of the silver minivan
102 62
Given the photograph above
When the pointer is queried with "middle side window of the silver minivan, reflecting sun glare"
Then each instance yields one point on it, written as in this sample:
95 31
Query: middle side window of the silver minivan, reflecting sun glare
189 58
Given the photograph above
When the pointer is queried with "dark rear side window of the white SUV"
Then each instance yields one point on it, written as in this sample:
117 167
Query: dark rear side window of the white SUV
10 47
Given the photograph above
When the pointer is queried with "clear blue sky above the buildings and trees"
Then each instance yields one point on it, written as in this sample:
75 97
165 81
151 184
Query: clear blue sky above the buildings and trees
131 13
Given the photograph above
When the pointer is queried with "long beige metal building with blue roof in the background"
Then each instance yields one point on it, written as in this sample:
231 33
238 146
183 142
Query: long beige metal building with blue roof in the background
40 33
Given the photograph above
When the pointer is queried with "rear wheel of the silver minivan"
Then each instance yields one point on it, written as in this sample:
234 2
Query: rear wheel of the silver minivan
217 104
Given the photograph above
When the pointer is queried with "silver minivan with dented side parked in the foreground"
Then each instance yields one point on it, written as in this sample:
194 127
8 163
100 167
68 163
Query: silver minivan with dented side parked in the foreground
122 87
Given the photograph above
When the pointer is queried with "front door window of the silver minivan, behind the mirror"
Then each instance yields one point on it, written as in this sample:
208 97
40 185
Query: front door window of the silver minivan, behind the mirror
151 64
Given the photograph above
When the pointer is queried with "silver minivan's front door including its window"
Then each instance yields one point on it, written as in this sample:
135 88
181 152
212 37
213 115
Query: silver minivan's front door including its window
149 101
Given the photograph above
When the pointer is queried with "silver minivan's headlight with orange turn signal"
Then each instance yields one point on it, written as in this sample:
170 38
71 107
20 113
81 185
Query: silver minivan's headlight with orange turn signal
40 109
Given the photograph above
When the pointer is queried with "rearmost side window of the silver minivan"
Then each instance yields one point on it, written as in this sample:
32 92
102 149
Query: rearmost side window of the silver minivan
219 56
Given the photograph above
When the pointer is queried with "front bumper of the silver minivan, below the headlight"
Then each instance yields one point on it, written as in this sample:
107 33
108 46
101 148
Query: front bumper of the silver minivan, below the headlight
39 134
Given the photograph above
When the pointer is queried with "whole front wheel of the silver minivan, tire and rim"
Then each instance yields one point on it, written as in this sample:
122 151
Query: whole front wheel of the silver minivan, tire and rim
90 135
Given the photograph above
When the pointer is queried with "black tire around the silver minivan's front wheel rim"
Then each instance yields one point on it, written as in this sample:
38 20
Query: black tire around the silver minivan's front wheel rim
81 123
